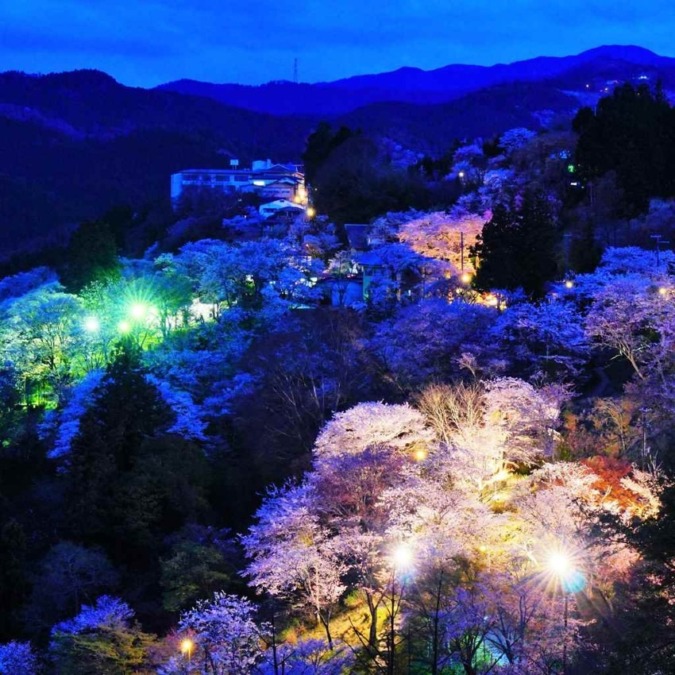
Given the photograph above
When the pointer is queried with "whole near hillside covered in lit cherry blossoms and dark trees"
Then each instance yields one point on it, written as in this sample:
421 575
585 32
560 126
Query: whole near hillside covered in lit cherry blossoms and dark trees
250 447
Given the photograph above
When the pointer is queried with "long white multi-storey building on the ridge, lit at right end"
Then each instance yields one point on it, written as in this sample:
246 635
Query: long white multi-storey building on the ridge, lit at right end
271 181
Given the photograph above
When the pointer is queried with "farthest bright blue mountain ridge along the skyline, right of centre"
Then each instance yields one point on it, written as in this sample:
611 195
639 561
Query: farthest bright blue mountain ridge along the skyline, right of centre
413 85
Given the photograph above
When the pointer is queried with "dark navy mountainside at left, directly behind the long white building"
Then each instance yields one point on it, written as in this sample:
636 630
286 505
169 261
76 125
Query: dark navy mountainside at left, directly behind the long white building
74 144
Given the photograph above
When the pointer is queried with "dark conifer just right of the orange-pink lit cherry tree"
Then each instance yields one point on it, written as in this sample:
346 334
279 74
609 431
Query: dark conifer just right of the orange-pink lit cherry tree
517 246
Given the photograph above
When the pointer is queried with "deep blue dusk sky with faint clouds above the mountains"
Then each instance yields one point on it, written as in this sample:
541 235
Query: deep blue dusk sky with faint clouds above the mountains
146 42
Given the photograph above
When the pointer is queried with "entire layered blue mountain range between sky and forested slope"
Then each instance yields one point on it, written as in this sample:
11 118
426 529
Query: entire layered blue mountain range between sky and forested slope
74 144
